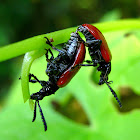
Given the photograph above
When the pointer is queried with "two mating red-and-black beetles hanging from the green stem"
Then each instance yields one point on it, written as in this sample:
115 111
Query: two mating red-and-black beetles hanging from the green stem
63 68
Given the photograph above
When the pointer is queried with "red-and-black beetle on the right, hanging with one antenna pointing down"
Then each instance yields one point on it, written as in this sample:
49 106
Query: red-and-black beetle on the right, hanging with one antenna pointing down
99 53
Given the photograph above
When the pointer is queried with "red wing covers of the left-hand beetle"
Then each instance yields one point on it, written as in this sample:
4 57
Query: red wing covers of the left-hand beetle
66 77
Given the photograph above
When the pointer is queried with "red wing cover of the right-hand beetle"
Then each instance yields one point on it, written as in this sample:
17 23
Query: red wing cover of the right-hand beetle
106 54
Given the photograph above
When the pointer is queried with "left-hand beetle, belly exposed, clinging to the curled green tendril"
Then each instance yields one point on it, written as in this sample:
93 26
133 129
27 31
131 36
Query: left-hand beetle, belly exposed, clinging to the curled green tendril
59 70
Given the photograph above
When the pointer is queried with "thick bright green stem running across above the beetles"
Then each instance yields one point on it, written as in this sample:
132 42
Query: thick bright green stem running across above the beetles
37 42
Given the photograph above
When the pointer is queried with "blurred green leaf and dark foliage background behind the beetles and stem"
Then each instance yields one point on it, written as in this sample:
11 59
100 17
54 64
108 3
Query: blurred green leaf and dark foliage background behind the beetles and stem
82 110
